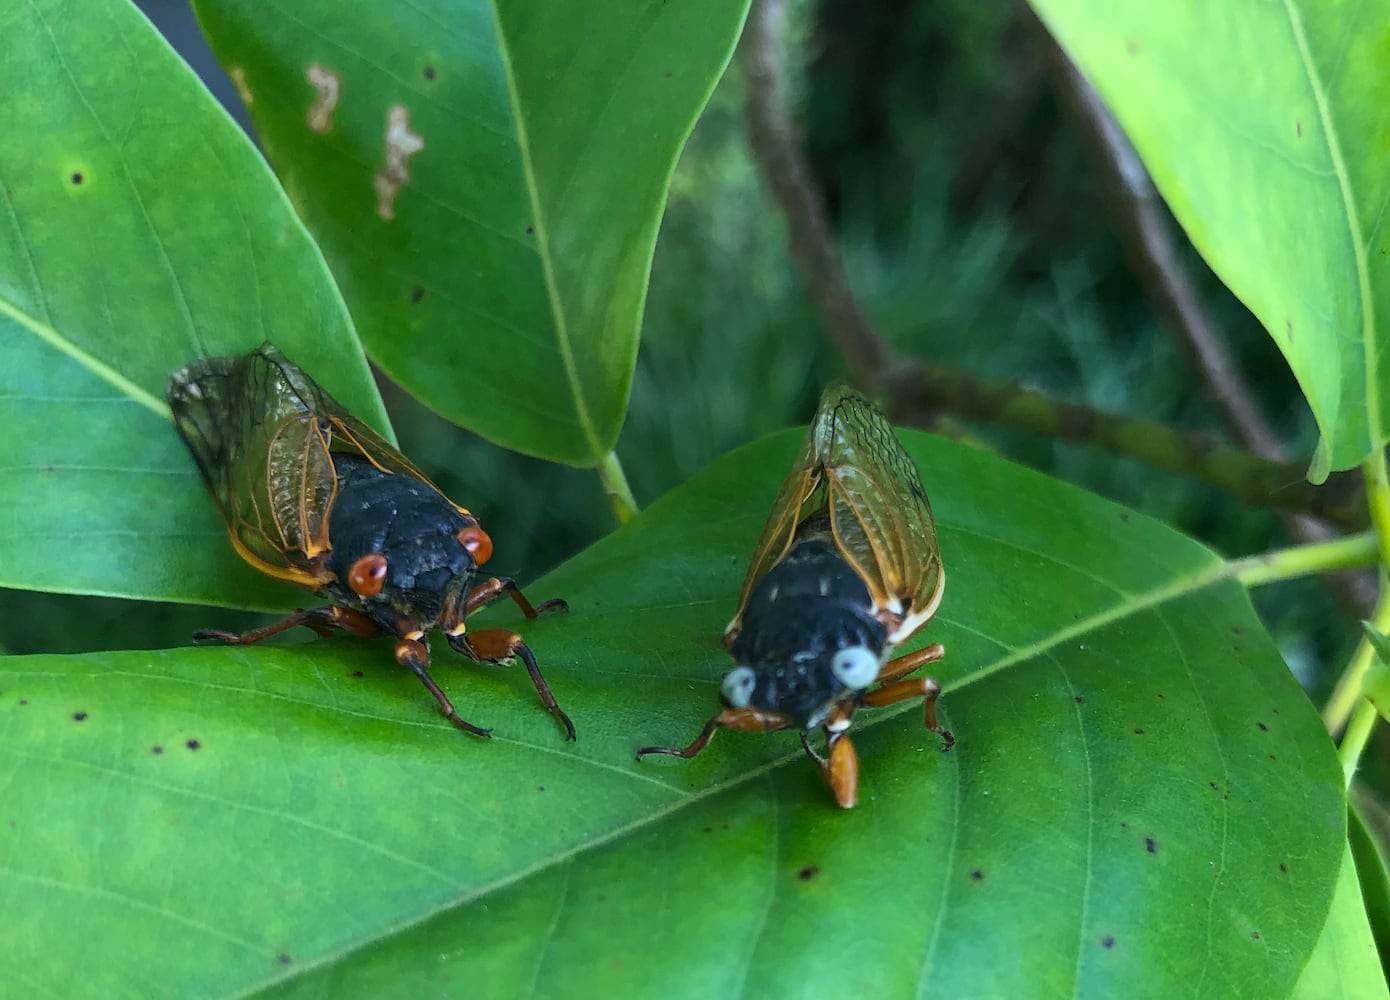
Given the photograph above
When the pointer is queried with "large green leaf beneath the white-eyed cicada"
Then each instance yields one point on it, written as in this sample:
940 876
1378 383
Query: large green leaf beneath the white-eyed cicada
1140 803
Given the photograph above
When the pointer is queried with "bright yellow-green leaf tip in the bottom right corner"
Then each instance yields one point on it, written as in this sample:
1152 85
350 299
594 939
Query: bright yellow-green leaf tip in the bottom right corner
1345 965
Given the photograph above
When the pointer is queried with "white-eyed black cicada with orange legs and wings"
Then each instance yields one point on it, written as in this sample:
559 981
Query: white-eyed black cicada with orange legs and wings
846 571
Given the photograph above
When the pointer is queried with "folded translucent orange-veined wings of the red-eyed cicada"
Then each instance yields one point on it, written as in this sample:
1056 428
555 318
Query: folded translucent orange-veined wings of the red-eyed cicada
263 435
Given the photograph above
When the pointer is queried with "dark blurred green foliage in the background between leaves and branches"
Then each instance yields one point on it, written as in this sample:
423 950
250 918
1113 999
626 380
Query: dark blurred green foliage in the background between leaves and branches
975 227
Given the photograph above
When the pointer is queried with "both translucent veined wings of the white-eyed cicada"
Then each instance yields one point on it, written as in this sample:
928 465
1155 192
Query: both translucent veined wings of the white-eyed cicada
854 469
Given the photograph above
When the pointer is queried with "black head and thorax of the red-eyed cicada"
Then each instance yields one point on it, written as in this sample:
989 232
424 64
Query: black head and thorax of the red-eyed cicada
409 542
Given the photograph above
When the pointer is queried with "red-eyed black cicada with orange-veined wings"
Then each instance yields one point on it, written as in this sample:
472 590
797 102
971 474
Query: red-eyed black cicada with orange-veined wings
315 497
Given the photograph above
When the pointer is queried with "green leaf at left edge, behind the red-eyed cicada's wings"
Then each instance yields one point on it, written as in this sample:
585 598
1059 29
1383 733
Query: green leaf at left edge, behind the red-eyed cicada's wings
138 230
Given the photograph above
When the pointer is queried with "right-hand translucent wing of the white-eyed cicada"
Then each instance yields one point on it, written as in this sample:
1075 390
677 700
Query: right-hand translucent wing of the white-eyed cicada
881 515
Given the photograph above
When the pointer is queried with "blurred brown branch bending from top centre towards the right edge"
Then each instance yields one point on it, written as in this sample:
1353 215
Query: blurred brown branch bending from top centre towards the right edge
932 390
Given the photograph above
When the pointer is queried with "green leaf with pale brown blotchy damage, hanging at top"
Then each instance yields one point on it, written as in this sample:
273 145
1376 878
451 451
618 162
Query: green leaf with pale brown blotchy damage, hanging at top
498 266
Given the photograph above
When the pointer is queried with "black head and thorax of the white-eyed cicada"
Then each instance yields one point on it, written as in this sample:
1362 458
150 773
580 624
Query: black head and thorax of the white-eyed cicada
810 639
